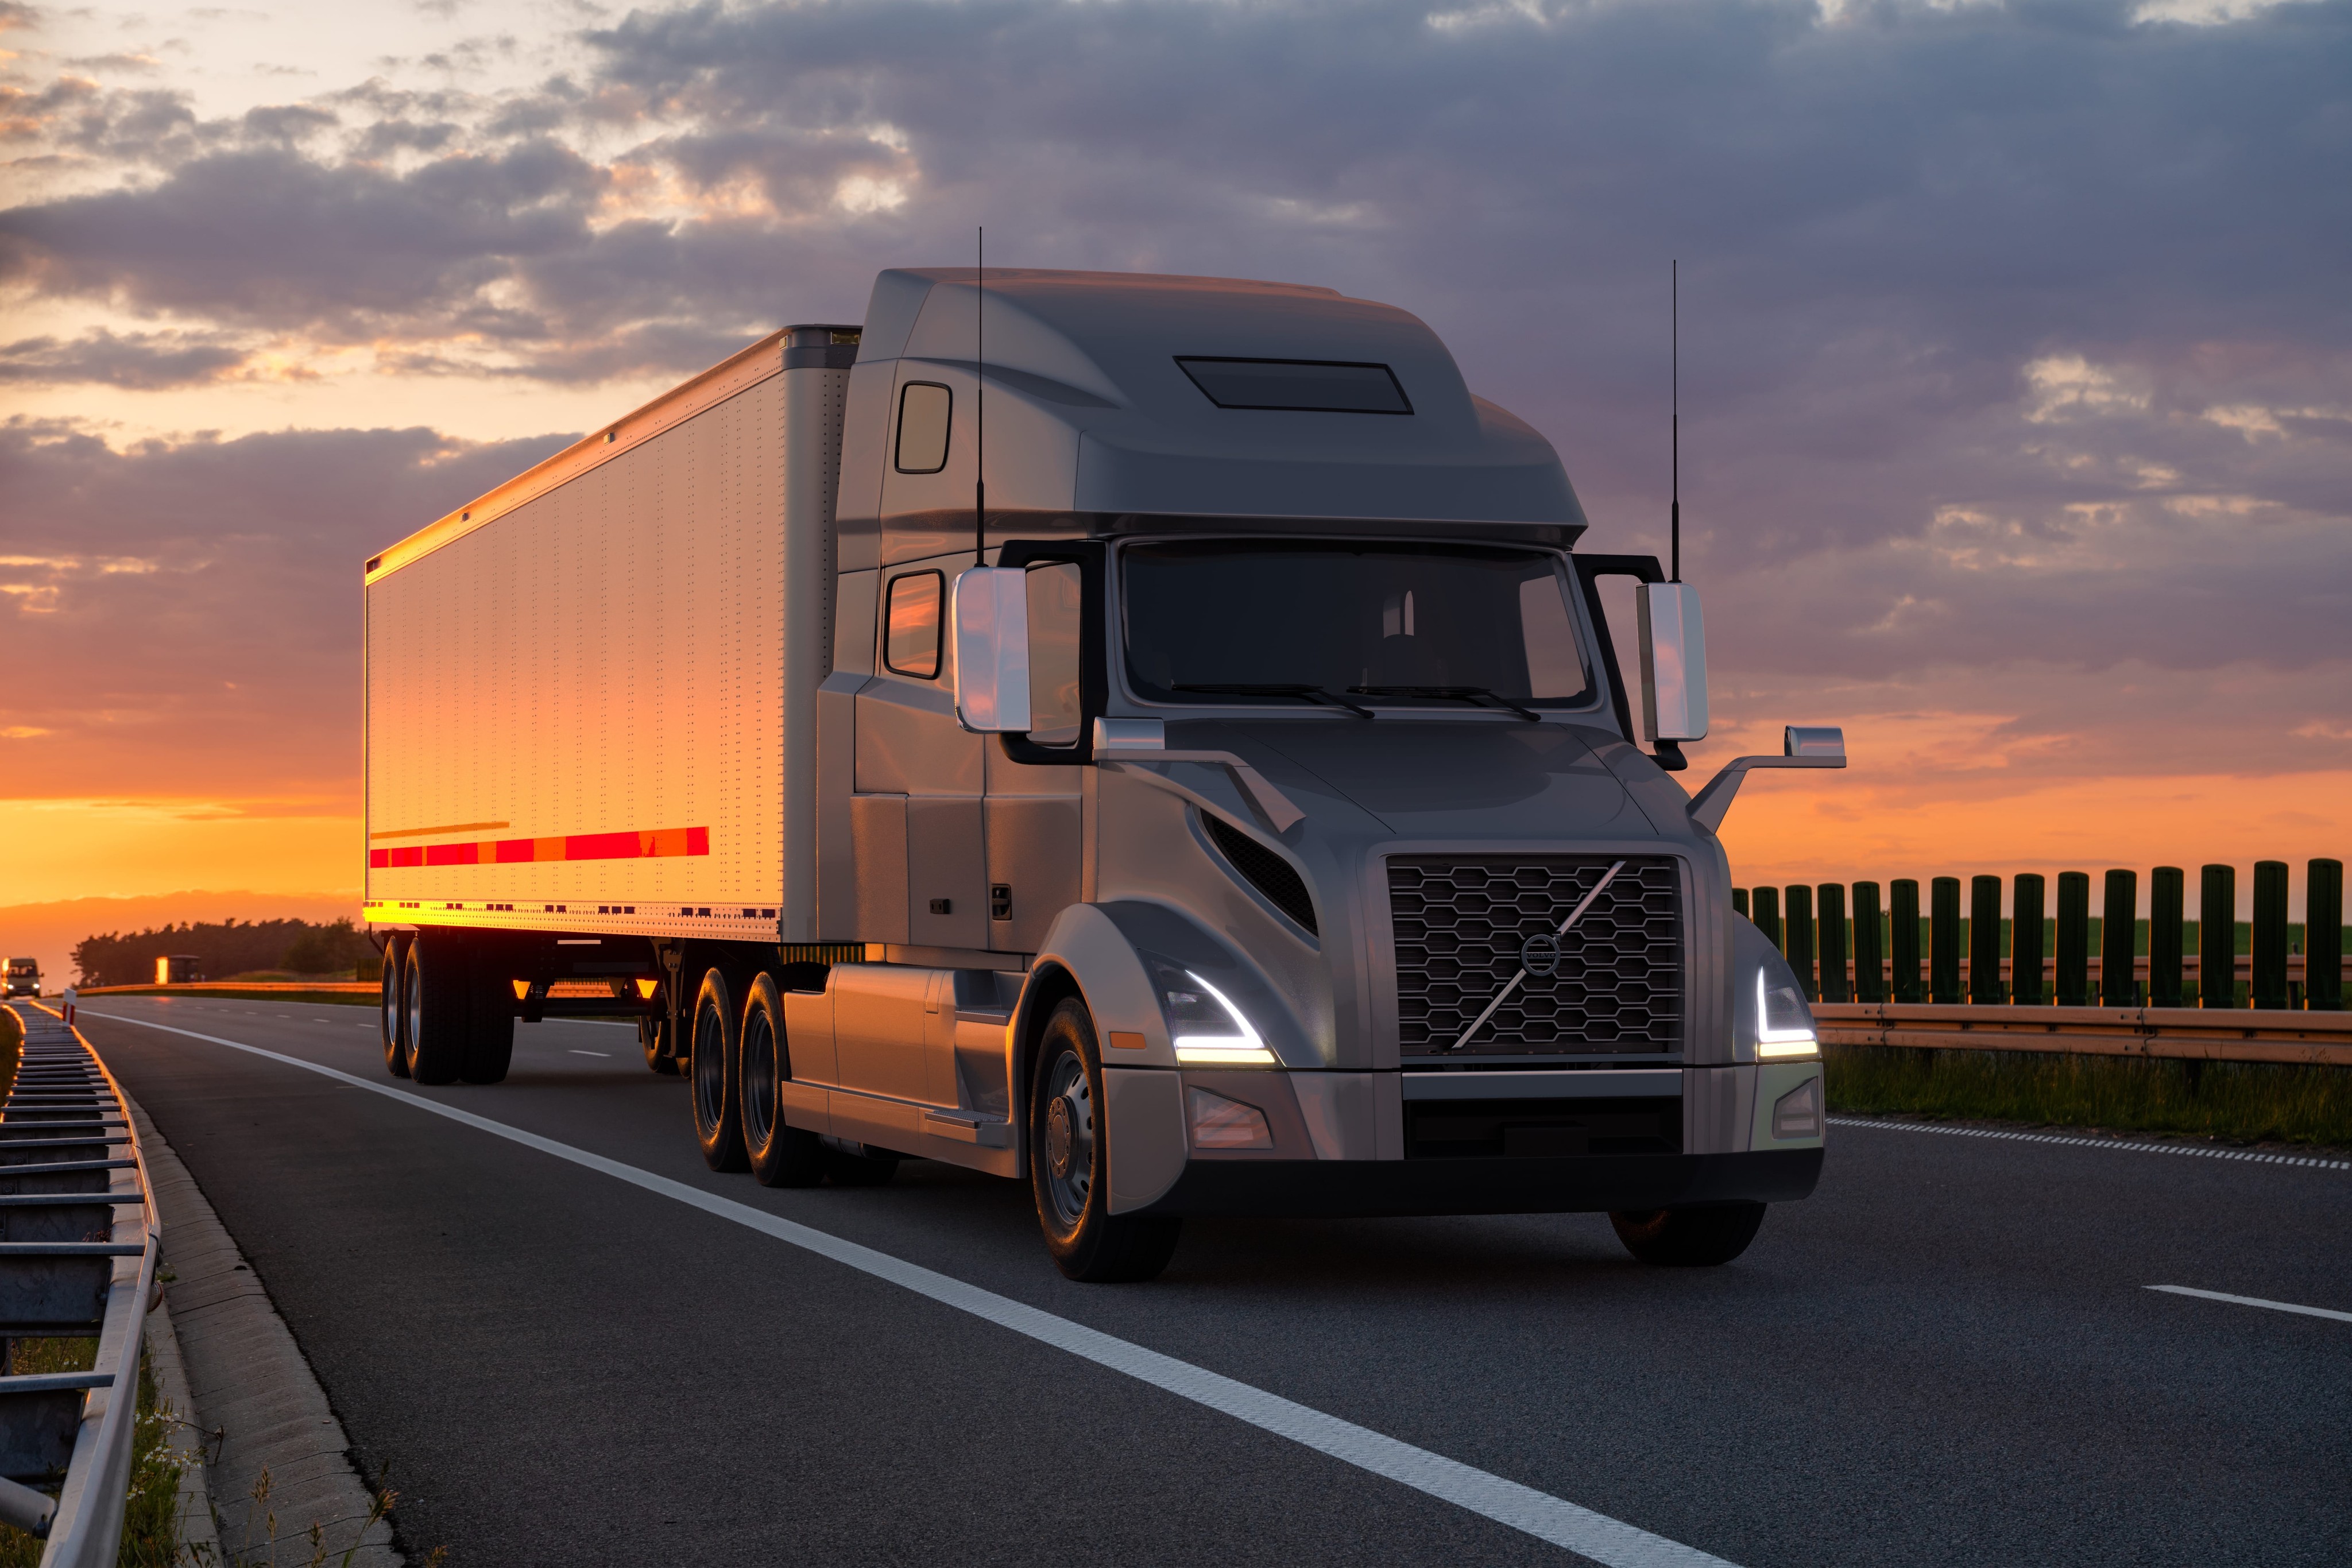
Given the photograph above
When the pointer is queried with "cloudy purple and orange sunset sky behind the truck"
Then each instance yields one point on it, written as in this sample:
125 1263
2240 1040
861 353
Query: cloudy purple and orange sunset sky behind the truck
2017 354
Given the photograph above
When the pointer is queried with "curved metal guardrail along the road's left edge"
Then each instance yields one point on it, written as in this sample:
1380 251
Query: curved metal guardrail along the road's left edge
79 1254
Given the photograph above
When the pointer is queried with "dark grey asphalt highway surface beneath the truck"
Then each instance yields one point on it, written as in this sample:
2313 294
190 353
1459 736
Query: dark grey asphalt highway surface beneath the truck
1949 1355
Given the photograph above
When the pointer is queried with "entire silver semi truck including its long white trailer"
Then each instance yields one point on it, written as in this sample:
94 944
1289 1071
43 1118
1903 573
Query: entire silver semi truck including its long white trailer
1144 737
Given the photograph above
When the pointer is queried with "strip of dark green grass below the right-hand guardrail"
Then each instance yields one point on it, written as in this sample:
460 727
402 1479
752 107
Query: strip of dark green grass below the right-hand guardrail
2236 1101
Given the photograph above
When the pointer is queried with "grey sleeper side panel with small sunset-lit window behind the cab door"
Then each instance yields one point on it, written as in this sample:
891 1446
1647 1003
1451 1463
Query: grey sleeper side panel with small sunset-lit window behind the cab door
921 765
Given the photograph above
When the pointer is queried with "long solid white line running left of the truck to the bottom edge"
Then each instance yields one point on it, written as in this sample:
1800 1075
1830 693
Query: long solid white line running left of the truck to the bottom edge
1523 1508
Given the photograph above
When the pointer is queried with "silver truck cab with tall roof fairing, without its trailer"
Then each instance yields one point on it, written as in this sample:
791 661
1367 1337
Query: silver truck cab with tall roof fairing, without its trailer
1267 713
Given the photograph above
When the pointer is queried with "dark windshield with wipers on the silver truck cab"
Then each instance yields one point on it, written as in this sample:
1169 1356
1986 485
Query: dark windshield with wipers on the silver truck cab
1351 624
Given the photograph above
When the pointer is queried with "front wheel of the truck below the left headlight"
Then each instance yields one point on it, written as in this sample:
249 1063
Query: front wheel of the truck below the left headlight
1071 1165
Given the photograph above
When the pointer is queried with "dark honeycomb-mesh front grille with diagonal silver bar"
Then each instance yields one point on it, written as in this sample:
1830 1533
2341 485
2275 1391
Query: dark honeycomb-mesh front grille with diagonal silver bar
1464 927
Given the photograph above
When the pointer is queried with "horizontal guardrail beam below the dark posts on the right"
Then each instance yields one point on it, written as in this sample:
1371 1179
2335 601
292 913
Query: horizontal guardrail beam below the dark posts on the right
2214 1036
